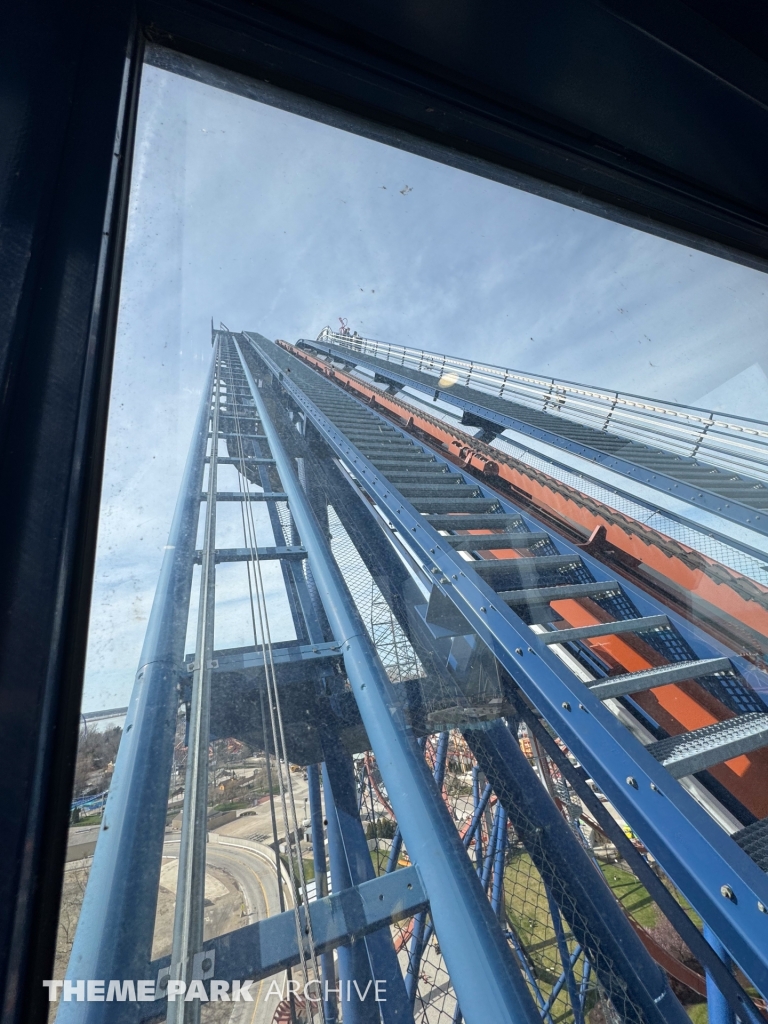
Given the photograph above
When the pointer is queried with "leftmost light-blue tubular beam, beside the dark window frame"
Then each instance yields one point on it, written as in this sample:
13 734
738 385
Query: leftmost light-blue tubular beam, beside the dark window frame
117 922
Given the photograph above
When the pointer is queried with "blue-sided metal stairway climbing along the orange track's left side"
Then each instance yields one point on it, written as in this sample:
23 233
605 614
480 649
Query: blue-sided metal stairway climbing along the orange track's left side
378 454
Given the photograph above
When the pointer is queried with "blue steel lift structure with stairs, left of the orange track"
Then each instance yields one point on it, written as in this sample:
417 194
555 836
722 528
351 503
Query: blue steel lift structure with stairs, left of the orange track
474 664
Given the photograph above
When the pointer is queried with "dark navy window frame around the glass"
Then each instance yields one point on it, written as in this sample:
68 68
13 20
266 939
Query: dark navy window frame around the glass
69 79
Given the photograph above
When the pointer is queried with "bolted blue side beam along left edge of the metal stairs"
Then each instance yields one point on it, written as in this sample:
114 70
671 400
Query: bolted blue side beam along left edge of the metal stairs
670 823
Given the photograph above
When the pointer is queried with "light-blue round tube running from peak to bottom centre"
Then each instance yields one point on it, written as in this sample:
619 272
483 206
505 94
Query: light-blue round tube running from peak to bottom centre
486 977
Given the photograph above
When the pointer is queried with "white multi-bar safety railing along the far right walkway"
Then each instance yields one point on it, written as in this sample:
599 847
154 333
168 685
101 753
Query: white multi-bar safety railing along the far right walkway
733 443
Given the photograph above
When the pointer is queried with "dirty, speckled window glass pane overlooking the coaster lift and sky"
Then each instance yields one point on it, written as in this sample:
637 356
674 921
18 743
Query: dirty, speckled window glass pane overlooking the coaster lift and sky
435 527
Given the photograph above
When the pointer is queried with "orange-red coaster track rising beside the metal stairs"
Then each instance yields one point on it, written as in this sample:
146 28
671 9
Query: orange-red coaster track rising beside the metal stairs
677 708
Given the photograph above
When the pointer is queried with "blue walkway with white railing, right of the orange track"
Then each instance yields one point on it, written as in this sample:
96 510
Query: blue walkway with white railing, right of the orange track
668 448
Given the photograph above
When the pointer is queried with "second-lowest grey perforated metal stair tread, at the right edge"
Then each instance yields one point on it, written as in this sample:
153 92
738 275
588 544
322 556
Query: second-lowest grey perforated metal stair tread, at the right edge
702 749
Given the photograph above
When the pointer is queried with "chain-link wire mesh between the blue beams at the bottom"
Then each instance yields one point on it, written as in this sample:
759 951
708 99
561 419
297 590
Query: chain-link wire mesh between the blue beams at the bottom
535 917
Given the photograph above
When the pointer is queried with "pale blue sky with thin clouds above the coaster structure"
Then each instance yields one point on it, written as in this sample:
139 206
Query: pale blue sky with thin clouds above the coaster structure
275 224
